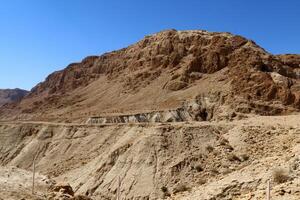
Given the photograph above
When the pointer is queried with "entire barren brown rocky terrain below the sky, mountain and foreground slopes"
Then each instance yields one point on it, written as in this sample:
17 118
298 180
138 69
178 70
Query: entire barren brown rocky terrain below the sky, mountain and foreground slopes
178 115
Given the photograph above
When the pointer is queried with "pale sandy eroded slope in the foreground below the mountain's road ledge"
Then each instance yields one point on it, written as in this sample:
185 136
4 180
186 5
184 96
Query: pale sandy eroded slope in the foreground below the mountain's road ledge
148 157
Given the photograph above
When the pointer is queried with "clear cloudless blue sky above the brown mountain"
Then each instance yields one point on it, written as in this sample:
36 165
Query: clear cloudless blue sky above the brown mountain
38 37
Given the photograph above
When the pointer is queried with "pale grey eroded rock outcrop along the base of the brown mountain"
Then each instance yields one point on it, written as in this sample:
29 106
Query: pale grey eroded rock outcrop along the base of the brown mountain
206 108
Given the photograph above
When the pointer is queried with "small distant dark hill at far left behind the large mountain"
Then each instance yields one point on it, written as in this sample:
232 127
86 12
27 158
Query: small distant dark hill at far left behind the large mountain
12 95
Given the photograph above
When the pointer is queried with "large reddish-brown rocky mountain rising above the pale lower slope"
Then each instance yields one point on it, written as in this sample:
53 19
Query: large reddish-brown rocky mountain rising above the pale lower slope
168 68
